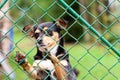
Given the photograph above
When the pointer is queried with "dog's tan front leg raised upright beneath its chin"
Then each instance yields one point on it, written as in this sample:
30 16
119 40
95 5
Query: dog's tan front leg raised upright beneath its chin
59 69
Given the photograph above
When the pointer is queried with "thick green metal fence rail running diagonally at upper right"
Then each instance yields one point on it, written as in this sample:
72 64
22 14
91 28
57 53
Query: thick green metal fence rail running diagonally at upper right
76 15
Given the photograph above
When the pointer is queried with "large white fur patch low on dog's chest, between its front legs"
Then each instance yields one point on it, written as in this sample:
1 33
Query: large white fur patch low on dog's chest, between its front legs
44 64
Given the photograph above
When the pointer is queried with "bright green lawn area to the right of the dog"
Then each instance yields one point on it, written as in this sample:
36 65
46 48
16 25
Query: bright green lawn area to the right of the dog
94 64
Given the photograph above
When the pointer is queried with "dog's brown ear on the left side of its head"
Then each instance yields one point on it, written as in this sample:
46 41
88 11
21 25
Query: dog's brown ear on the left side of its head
29 30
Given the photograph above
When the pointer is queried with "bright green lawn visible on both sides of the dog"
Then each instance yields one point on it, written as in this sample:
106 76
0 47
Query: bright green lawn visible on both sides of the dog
92 60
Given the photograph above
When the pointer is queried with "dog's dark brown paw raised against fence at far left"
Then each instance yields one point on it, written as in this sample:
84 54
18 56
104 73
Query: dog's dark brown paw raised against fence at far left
20 58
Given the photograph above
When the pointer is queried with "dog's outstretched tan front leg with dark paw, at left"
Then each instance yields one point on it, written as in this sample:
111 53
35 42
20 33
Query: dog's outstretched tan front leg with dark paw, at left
20 58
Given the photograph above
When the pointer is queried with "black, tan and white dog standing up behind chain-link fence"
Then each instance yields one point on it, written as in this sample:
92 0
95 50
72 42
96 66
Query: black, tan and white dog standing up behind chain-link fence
51 60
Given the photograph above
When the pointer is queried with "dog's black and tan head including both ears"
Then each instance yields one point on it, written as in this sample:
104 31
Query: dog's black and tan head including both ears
47 34
